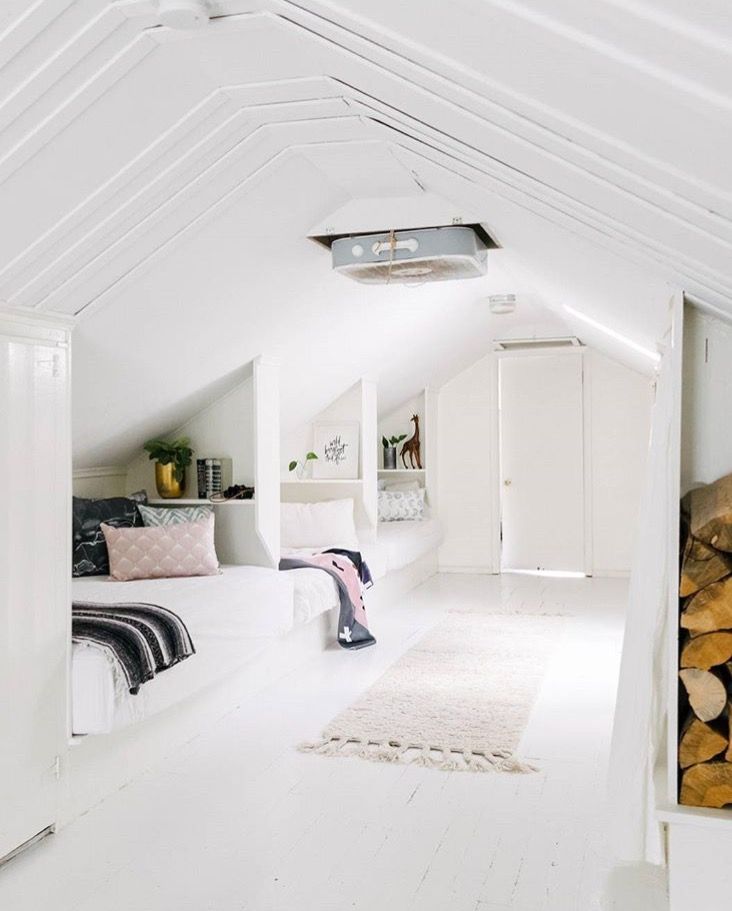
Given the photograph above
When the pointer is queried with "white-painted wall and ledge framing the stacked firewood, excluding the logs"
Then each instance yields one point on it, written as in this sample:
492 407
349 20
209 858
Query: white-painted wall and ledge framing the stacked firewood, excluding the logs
699 840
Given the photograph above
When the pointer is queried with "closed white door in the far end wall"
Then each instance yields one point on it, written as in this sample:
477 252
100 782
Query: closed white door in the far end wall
542 462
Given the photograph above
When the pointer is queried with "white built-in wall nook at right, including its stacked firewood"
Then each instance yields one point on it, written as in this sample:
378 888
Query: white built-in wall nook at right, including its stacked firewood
697 773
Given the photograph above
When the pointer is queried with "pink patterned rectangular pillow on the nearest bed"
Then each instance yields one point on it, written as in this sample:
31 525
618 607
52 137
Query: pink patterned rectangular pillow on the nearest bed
161 552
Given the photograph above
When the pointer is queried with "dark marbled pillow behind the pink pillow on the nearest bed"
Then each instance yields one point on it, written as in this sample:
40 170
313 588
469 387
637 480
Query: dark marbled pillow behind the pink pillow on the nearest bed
89 554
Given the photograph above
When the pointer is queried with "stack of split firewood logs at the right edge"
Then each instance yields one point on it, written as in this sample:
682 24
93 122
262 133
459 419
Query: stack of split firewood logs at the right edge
705 649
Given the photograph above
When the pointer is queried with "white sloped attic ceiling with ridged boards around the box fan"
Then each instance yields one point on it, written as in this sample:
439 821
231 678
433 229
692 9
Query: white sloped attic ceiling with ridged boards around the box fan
162 184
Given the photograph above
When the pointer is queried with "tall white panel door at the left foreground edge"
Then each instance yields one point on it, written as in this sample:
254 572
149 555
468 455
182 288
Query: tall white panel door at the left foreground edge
34 577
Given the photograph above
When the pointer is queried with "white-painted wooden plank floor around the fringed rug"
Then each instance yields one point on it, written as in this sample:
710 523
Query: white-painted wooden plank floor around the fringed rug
239 820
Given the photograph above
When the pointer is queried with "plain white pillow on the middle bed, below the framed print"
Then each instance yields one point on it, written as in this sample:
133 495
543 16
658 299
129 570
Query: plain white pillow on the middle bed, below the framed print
321 525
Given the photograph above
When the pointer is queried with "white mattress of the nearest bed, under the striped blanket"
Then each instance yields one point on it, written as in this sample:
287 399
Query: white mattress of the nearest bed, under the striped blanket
231 617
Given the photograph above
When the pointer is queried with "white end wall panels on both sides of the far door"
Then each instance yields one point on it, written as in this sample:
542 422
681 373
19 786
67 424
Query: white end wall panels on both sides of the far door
618 402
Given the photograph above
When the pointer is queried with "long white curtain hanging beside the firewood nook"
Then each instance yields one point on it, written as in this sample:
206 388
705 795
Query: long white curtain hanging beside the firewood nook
638 735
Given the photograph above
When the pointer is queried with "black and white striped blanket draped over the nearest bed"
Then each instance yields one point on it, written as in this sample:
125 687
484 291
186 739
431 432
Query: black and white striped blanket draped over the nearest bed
144 638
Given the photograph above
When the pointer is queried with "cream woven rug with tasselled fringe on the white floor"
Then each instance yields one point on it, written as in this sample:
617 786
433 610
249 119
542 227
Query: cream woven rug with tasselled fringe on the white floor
458 700
